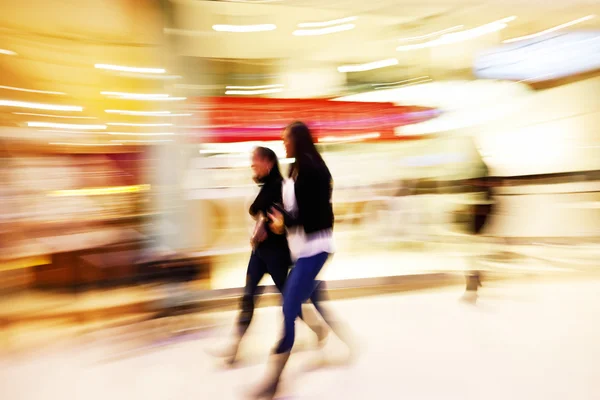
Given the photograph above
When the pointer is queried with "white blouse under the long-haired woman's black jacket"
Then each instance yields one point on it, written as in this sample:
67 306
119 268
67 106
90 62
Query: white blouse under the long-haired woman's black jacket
301 244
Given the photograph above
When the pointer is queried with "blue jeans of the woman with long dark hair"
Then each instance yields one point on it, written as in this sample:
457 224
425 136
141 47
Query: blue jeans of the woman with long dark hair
301 285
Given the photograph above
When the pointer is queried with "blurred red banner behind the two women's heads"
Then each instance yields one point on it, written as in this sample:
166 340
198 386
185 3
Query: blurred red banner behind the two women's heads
234 119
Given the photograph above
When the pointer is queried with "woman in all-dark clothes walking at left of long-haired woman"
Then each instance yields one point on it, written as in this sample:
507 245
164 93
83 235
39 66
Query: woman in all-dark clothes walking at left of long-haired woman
270 254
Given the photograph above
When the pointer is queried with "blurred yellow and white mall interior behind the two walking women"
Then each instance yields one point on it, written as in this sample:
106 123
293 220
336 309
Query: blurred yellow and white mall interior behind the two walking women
126 128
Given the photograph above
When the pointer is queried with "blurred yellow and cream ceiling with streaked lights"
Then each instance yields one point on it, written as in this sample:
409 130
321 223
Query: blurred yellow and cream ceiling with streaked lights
58 42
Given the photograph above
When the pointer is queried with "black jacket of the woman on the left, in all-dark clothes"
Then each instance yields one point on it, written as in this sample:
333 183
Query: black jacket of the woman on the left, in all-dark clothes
269 195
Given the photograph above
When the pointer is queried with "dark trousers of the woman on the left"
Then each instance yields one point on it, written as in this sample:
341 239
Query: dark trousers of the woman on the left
277 264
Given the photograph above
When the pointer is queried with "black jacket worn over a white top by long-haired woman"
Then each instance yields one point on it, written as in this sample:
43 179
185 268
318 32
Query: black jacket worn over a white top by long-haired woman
313 188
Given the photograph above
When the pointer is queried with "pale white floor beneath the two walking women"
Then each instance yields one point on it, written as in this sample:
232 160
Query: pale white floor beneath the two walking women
522 341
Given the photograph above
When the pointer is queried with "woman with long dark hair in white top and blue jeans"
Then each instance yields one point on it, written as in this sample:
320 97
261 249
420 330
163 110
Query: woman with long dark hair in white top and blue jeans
307 216
